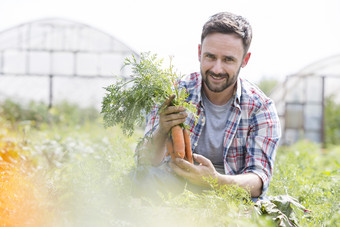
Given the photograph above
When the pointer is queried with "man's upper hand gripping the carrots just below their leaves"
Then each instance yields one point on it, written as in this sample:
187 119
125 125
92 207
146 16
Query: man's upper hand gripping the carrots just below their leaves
170 115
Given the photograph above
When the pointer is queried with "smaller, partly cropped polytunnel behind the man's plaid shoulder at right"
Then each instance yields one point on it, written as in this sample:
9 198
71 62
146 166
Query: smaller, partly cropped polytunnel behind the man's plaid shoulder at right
300 100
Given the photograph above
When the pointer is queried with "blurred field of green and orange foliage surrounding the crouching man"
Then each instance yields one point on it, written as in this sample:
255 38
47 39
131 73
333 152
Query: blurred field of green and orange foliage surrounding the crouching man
60 167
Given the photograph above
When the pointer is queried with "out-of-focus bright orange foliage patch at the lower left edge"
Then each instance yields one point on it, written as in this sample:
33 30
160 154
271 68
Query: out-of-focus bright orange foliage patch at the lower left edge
21 198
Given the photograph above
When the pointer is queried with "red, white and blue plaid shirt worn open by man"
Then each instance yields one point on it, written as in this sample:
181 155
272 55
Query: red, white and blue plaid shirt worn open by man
252 131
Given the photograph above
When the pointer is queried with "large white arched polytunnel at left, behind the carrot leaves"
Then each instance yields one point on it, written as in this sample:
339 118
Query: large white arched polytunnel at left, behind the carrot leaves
52 60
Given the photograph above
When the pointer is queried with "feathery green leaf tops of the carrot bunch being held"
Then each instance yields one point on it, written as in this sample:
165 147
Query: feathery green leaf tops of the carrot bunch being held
127 102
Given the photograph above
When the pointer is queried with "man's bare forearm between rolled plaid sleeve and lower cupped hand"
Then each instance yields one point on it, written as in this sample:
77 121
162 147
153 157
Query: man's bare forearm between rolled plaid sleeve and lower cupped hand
248 181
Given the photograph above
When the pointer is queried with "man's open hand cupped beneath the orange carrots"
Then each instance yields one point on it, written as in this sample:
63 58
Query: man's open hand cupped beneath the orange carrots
195 173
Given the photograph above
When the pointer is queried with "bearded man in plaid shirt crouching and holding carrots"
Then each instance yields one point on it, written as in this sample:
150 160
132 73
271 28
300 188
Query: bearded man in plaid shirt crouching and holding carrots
238 130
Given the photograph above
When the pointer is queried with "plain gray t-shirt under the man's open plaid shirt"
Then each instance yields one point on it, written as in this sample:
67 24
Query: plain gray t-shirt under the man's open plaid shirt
210 143
